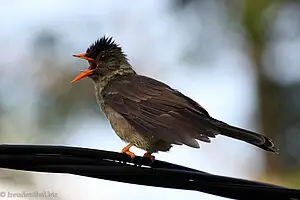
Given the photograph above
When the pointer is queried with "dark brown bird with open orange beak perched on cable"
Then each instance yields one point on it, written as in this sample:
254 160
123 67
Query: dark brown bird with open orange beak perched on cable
147 113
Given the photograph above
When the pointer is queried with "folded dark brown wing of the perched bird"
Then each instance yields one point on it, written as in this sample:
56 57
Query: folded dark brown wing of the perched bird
155 109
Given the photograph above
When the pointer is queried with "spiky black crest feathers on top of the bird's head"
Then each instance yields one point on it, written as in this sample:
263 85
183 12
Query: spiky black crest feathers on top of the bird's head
102 44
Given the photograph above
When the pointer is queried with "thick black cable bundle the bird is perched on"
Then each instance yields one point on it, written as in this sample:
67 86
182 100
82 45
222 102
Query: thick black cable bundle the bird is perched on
118 167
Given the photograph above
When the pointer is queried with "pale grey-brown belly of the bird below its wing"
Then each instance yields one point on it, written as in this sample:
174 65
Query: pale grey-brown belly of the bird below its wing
128 133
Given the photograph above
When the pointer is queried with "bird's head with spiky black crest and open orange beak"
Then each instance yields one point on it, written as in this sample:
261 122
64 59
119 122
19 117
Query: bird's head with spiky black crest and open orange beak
104 56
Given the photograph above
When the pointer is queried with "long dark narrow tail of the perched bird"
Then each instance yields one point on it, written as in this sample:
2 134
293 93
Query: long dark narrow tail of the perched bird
250 137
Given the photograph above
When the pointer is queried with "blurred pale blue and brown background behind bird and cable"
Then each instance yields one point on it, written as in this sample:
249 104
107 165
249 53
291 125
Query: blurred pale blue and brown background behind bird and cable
237 58
